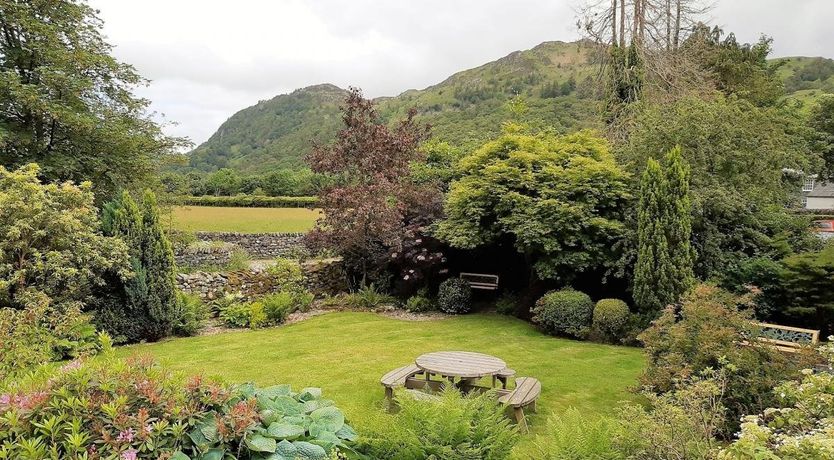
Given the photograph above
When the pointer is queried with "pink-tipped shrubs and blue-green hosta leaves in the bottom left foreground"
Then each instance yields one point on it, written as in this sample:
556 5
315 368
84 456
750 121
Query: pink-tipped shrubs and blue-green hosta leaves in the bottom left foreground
134 409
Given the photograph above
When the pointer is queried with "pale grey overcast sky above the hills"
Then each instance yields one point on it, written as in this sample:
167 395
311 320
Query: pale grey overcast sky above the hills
210 58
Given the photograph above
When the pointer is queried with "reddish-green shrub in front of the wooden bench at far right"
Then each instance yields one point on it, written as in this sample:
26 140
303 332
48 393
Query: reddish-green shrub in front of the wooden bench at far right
706 334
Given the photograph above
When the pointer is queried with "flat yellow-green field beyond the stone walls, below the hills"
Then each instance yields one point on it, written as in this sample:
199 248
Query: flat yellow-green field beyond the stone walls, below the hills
243 220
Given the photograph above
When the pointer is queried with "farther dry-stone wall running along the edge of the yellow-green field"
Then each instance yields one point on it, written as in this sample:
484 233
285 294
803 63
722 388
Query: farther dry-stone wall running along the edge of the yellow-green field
260 245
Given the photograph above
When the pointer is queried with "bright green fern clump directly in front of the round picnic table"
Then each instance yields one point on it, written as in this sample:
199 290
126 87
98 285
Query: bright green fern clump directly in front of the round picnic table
452 427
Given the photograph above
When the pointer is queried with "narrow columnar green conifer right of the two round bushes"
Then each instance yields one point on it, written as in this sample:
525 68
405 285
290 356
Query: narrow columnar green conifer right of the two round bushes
663 271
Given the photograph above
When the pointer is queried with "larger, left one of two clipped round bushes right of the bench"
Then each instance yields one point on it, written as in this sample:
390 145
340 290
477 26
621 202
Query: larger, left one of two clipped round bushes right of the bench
564 312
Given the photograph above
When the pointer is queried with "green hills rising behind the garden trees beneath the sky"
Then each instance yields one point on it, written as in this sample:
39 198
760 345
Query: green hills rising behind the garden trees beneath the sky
554 79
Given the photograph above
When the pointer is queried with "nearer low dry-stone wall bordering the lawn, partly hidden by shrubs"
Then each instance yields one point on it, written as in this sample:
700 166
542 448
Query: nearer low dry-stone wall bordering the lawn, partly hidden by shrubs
325 276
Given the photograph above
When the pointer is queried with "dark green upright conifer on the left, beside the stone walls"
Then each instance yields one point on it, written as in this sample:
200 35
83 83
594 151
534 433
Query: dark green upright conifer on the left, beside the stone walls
142 305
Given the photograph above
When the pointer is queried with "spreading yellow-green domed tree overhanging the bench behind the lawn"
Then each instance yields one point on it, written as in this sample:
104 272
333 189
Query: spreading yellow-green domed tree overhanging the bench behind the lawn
559 199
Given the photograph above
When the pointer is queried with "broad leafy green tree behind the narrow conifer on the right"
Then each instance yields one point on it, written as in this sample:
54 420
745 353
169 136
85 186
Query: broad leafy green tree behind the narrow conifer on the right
737 153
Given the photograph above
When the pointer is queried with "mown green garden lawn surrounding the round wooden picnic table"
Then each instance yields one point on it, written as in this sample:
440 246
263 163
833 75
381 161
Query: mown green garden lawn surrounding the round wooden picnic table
347 353
